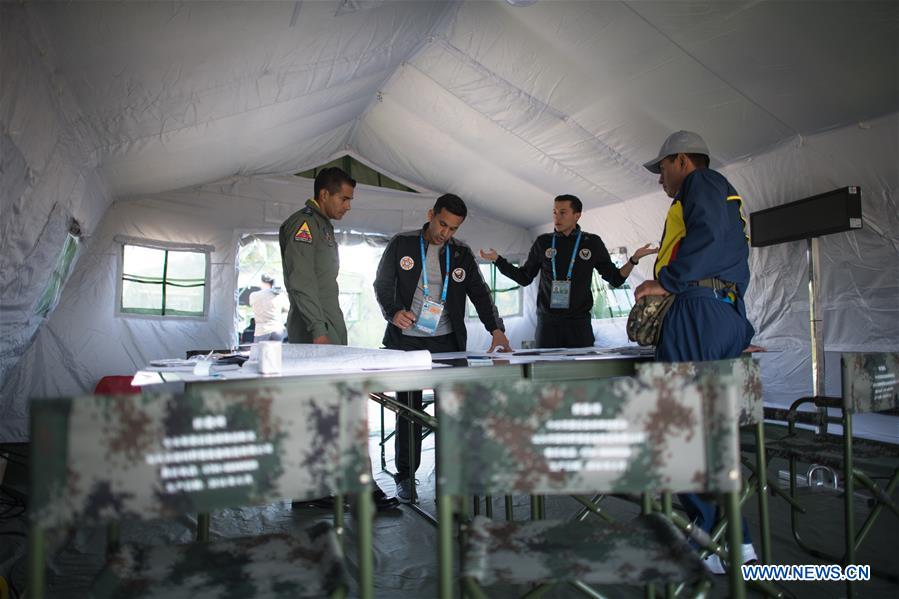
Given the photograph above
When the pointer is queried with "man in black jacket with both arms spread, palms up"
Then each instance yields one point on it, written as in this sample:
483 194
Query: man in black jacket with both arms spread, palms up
565 260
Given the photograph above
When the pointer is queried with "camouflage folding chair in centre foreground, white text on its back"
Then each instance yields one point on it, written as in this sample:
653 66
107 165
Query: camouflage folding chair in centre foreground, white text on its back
623 435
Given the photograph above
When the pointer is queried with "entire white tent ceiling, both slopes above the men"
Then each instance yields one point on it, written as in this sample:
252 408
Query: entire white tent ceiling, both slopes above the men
485 99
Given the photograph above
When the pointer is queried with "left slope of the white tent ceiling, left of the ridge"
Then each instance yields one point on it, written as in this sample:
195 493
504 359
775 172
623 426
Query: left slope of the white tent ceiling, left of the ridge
190 92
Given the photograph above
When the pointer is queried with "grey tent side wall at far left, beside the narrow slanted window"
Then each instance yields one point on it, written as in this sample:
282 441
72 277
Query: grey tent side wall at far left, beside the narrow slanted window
47 178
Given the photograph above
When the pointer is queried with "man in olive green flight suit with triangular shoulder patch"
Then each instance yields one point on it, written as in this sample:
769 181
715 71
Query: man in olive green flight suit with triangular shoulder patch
310 262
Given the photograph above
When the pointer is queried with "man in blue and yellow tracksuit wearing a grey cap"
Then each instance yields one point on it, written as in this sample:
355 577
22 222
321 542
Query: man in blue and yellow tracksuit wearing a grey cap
704 260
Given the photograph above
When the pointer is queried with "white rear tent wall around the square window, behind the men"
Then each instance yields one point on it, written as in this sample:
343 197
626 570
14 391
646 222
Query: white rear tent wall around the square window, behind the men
84 339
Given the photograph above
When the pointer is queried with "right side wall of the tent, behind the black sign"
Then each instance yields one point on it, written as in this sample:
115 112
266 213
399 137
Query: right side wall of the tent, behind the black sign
860 269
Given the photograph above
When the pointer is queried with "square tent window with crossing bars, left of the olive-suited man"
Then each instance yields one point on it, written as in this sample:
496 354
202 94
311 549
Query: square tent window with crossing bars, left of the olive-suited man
163 282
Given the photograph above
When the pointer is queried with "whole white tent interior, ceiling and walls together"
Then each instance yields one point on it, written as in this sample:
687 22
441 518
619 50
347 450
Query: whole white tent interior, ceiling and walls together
184 121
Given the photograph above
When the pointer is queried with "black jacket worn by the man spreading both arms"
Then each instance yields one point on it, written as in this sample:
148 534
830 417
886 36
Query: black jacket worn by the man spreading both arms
592 254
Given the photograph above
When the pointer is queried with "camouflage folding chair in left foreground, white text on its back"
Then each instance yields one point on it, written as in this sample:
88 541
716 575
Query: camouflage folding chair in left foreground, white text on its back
101 458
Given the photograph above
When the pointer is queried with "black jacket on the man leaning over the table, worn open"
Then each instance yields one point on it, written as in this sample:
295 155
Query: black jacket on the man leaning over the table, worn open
399 273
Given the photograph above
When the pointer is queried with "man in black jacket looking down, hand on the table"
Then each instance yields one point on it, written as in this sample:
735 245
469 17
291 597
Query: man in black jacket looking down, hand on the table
423 279
